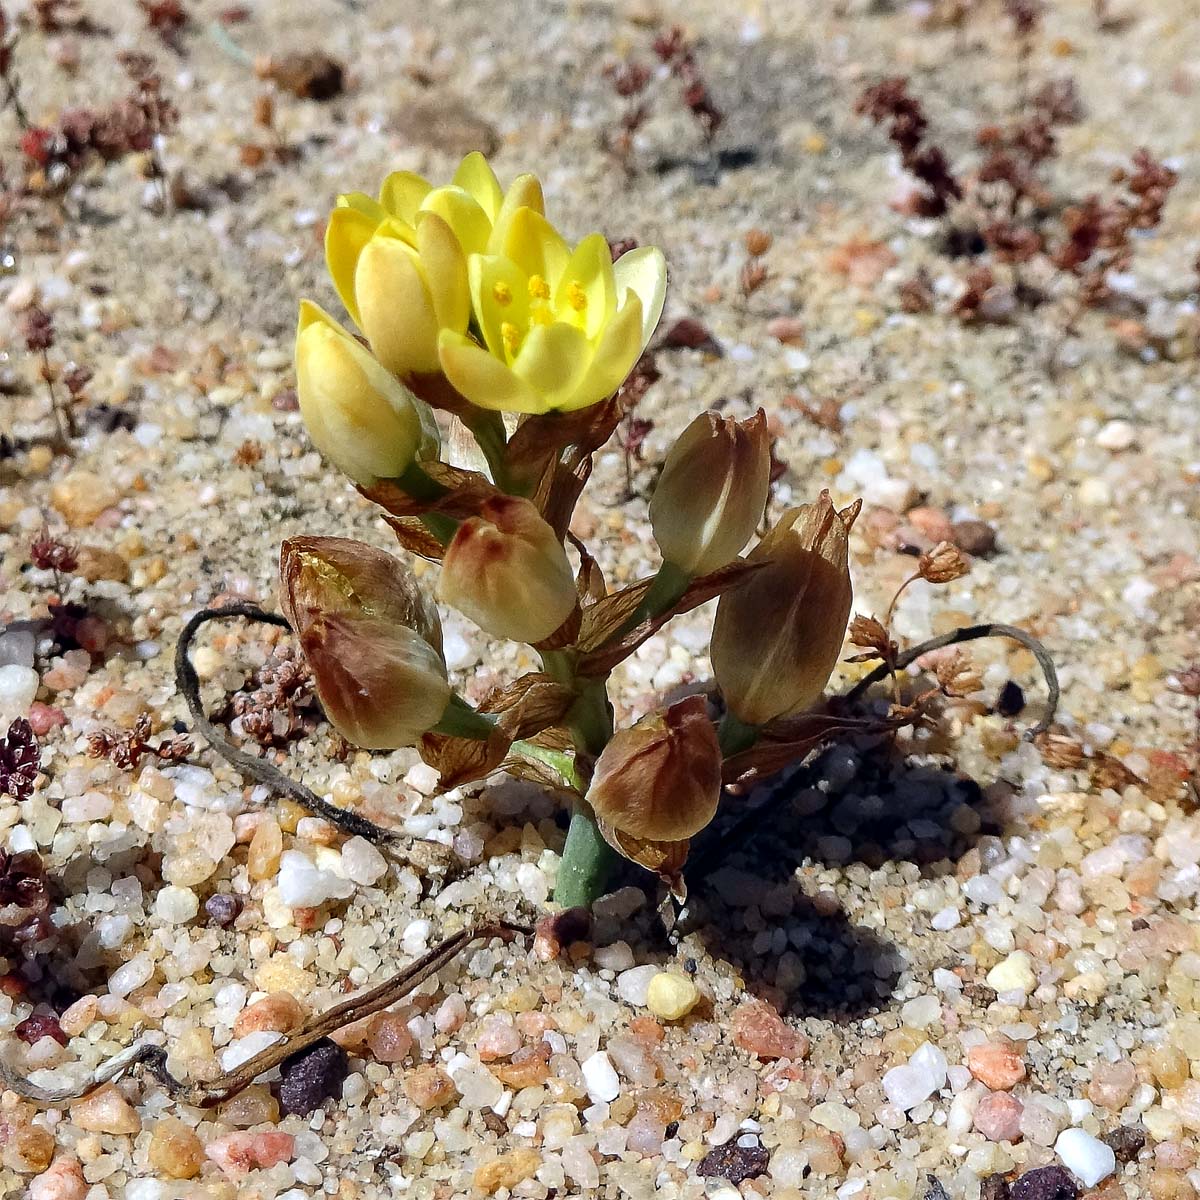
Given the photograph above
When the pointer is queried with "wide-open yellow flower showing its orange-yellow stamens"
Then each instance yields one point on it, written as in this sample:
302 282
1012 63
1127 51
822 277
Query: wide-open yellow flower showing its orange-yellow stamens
561 329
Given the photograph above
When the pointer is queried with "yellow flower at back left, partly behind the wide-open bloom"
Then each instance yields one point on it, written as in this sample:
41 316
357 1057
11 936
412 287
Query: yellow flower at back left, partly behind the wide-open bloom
400 262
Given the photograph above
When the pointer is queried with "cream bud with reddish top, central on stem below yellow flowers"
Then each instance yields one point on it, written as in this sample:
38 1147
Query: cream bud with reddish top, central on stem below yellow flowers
508 572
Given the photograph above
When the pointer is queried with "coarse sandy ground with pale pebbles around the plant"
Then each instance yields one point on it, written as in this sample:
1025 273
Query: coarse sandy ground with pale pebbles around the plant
961 893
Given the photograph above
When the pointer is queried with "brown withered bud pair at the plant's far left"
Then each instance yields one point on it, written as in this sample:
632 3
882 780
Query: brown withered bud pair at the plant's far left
373 640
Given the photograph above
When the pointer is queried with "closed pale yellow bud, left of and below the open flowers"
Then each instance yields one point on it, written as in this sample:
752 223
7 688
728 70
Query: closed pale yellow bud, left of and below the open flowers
359 417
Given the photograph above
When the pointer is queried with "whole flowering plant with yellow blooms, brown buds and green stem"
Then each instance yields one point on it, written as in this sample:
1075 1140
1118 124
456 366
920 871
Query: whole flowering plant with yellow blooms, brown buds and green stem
472 304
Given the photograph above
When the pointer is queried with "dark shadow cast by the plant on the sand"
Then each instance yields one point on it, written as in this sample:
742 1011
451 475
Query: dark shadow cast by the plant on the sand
748 904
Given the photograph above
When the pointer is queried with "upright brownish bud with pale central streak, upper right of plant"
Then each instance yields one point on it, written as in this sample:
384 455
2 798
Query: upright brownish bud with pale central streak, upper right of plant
712 493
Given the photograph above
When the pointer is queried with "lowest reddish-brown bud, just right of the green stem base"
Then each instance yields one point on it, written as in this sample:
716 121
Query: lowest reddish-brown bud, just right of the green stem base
662 778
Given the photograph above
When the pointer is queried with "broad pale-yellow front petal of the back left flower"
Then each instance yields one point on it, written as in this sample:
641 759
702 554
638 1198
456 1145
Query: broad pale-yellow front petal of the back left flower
395 307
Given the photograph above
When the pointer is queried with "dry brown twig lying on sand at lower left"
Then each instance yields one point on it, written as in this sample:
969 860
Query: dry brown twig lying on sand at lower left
211 1093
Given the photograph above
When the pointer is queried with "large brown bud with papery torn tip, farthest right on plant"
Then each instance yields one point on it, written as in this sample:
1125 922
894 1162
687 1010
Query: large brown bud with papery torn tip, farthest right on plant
778 634
